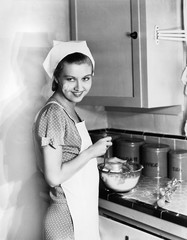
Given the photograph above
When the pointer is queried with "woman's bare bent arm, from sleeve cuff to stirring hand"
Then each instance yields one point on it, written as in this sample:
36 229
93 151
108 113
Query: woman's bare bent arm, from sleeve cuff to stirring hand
56 173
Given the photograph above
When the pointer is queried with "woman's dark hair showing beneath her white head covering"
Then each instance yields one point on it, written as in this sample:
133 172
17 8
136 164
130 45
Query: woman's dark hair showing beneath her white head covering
77 58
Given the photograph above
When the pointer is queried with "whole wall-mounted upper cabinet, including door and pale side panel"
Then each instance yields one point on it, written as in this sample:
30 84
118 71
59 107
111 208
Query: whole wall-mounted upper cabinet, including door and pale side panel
132 70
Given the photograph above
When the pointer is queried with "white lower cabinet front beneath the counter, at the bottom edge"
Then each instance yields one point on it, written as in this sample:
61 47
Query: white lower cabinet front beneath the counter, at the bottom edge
111 229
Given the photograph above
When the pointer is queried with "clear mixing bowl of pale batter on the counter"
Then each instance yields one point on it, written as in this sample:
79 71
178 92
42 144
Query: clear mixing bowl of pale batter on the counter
122 180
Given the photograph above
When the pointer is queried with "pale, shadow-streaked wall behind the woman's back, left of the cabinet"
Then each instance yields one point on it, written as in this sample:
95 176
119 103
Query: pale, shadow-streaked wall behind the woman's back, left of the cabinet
27 30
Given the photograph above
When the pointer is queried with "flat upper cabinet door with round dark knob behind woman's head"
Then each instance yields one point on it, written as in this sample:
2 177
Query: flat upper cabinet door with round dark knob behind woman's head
106 25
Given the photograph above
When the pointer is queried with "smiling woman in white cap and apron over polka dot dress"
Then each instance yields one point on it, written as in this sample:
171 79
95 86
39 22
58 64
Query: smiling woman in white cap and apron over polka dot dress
68 158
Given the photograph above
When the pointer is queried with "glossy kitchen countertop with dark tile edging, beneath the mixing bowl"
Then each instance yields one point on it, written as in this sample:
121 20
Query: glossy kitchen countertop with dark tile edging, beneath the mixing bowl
140 205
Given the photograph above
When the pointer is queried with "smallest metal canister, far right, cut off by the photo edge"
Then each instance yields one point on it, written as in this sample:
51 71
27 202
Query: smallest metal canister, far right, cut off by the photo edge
178 164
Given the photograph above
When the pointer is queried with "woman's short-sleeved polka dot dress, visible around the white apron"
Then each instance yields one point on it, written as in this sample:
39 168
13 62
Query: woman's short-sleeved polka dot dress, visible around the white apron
55 127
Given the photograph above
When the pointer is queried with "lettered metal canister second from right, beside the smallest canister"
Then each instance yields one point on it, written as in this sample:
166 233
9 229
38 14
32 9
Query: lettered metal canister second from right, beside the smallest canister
154 159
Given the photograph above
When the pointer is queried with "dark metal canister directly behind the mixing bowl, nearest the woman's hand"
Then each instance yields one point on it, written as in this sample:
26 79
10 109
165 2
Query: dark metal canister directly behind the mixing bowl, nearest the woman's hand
128 149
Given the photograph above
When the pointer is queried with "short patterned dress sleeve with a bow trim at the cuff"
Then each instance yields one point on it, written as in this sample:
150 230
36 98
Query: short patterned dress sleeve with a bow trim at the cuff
51 127
